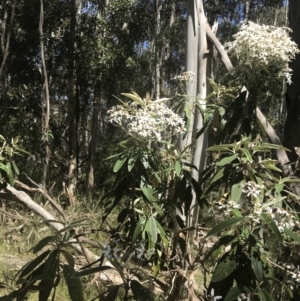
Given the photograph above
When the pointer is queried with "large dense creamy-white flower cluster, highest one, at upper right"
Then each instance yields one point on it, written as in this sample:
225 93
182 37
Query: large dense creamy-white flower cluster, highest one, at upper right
264 47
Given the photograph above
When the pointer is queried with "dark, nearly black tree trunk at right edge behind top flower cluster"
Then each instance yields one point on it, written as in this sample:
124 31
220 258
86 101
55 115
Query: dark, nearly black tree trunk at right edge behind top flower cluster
292 125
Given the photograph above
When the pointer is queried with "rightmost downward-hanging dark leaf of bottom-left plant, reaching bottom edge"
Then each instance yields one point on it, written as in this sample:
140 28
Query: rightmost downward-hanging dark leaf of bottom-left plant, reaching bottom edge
73 283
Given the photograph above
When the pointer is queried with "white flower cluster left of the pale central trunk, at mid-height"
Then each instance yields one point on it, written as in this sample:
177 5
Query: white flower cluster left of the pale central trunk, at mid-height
146 122
